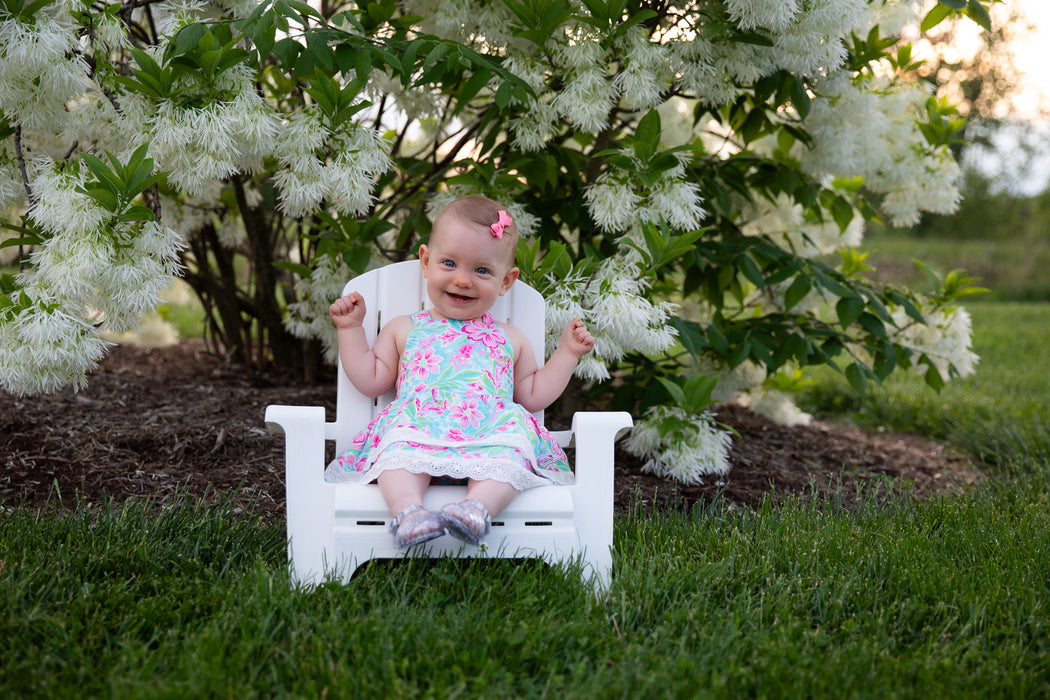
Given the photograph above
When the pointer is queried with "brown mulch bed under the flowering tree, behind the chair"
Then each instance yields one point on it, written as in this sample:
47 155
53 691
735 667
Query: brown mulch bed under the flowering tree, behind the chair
157 423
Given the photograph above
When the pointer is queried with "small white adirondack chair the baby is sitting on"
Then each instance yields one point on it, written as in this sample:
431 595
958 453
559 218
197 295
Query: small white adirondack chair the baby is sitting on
334 528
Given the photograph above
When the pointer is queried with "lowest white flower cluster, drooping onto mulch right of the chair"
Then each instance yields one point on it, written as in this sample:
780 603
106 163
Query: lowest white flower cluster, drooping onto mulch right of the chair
680 447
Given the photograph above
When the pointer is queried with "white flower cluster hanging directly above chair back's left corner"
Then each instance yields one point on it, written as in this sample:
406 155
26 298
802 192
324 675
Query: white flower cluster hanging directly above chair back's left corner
309 178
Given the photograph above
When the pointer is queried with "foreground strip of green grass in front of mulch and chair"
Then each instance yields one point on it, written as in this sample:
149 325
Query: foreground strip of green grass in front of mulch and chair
938 599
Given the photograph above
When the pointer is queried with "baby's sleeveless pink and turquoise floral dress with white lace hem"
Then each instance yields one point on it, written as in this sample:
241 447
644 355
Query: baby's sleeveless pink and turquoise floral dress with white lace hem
454 415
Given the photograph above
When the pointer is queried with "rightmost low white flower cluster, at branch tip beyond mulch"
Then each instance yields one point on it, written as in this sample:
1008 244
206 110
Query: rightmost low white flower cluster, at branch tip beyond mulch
946 340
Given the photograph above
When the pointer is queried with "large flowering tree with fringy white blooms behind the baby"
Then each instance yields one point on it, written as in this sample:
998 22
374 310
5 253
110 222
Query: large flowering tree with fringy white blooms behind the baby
682 173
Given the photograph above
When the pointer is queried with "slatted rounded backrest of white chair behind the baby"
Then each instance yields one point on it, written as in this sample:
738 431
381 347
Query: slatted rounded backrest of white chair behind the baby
400 289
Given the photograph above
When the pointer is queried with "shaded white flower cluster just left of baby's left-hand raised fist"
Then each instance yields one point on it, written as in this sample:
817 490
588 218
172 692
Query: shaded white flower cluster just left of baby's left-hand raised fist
309 317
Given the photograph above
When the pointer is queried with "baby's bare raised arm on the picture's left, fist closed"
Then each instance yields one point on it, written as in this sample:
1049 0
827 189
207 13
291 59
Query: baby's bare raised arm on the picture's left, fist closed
372 371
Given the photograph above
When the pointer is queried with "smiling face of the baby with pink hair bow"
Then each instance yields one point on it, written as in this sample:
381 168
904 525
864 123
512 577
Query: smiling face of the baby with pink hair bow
467 268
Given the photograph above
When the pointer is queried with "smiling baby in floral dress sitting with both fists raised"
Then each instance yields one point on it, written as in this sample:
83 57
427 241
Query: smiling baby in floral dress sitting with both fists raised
467 386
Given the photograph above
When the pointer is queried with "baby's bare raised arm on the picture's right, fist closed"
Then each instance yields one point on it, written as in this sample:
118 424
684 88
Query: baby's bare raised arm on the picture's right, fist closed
537 388
